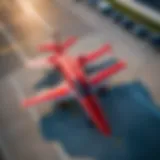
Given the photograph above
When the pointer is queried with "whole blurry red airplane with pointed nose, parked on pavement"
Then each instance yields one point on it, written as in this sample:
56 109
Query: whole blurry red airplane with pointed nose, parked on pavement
77 84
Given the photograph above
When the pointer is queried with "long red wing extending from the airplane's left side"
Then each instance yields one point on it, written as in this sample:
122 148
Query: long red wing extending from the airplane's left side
51 94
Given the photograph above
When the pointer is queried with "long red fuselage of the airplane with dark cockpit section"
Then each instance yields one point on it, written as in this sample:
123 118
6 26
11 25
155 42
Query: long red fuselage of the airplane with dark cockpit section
79 84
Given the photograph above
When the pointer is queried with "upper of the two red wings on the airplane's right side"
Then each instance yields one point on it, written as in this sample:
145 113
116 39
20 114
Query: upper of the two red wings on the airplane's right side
94 55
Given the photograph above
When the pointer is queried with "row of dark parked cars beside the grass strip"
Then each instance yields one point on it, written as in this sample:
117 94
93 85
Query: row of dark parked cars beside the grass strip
138 29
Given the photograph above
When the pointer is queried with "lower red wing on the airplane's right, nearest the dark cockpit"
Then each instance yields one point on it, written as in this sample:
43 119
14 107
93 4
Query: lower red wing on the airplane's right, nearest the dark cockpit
101 76
